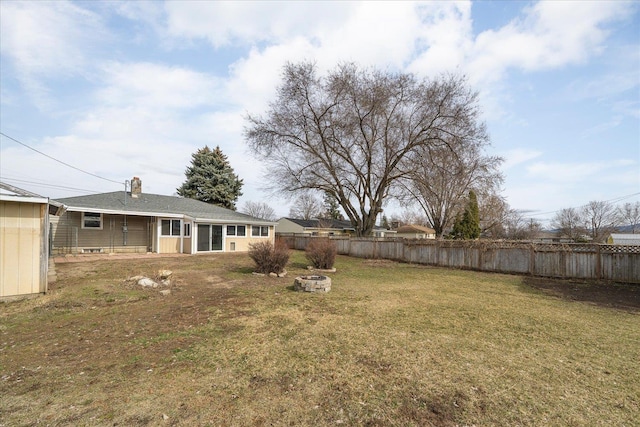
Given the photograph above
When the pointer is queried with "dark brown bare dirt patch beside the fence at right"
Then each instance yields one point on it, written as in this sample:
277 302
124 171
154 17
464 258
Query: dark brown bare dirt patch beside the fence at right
612 295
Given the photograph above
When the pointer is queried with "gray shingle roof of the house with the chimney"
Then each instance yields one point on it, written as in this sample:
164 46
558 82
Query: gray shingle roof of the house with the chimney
156 205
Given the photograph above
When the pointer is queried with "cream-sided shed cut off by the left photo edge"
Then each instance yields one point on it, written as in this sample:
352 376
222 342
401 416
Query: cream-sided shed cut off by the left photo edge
24 241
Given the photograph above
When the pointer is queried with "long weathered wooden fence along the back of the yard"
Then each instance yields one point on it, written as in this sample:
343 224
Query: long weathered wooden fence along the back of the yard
615 263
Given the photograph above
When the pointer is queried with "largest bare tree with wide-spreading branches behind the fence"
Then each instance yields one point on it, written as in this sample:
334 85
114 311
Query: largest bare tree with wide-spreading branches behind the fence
348 133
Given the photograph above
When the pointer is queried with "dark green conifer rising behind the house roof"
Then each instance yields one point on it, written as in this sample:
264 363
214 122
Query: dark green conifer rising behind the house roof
211 179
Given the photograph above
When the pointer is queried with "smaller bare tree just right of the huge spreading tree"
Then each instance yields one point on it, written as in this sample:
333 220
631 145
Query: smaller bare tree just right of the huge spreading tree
442 177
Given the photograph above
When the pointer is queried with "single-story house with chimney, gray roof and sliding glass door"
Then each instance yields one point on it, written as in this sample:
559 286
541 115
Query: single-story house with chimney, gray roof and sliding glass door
133 221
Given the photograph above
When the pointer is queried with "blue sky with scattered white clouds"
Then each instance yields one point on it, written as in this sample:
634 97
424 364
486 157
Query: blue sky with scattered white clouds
94 93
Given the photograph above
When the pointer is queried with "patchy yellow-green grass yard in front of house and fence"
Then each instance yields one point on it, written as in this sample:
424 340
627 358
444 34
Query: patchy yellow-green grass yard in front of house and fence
391 344
